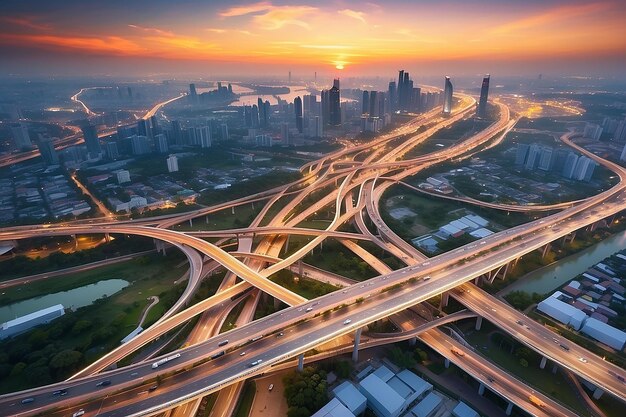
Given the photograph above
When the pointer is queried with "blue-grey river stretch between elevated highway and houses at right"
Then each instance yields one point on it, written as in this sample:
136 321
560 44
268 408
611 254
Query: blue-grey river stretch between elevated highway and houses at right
550 277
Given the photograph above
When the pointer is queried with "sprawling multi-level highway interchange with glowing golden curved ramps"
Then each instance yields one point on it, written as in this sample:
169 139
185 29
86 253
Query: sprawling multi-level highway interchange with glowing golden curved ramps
353 181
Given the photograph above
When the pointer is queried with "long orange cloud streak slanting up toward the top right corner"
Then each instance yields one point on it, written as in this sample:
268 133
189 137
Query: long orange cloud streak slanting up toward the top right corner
551 16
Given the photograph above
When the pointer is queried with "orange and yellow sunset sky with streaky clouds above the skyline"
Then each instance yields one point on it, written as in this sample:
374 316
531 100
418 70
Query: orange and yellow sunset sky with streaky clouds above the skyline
351 38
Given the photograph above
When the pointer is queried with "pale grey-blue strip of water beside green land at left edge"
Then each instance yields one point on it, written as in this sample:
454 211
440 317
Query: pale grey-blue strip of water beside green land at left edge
74 298
